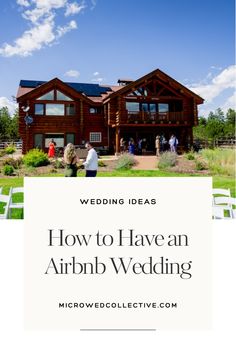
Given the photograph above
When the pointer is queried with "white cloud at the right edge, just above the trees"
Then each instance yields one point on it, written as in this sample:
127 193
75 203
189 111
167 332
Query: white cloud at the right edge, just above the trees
217 90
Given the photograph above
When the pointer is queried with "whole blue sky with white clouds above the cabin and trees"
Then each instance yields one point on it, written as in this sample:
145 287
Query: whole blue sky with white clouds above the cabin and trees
103 40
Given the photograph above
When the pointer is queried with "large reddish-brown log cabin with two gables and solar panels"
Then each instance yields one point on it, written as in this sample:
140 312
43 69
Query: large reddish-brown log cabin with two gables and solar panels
78 112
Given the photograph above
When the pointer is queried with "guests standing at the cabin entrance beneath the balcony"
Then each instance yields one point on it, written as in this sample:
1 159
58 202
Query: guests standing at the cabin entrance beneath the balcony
161 145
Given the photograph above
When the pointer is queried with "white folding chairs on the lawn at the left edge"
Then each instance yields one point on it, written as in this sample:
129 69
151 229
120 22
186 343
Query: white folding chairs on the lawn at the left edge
9 205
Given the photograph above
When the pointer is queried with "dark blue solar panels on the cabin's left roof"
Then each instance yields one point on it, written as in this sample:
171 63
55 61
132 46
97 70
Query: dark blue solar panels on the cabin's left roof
88 89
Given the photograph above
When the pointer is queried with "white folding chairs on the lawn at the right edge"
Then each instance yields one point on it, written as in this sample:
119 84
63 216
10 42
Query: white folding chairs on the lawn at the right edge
223 205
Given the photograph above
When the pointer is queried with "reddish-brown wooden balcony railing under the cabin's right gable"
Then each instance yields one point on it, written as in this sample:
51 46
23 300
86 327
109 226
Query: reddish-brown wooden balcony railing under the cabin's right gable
129 117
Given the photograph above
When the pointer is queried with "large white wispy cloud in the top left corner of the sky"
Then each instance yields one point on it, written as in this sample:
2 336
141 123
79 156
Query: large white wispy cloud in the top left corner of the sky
42 16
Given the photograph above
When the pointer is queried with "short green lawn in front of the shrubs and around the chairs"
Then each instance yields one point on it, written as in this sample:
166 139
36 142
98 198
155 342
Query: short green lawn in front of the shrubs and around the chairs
218 182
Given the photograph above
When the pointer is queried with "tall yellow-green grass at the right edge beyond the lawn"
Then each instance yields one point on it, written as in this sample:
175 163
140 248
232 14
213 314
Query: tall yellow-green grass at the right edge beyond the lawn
220 161
